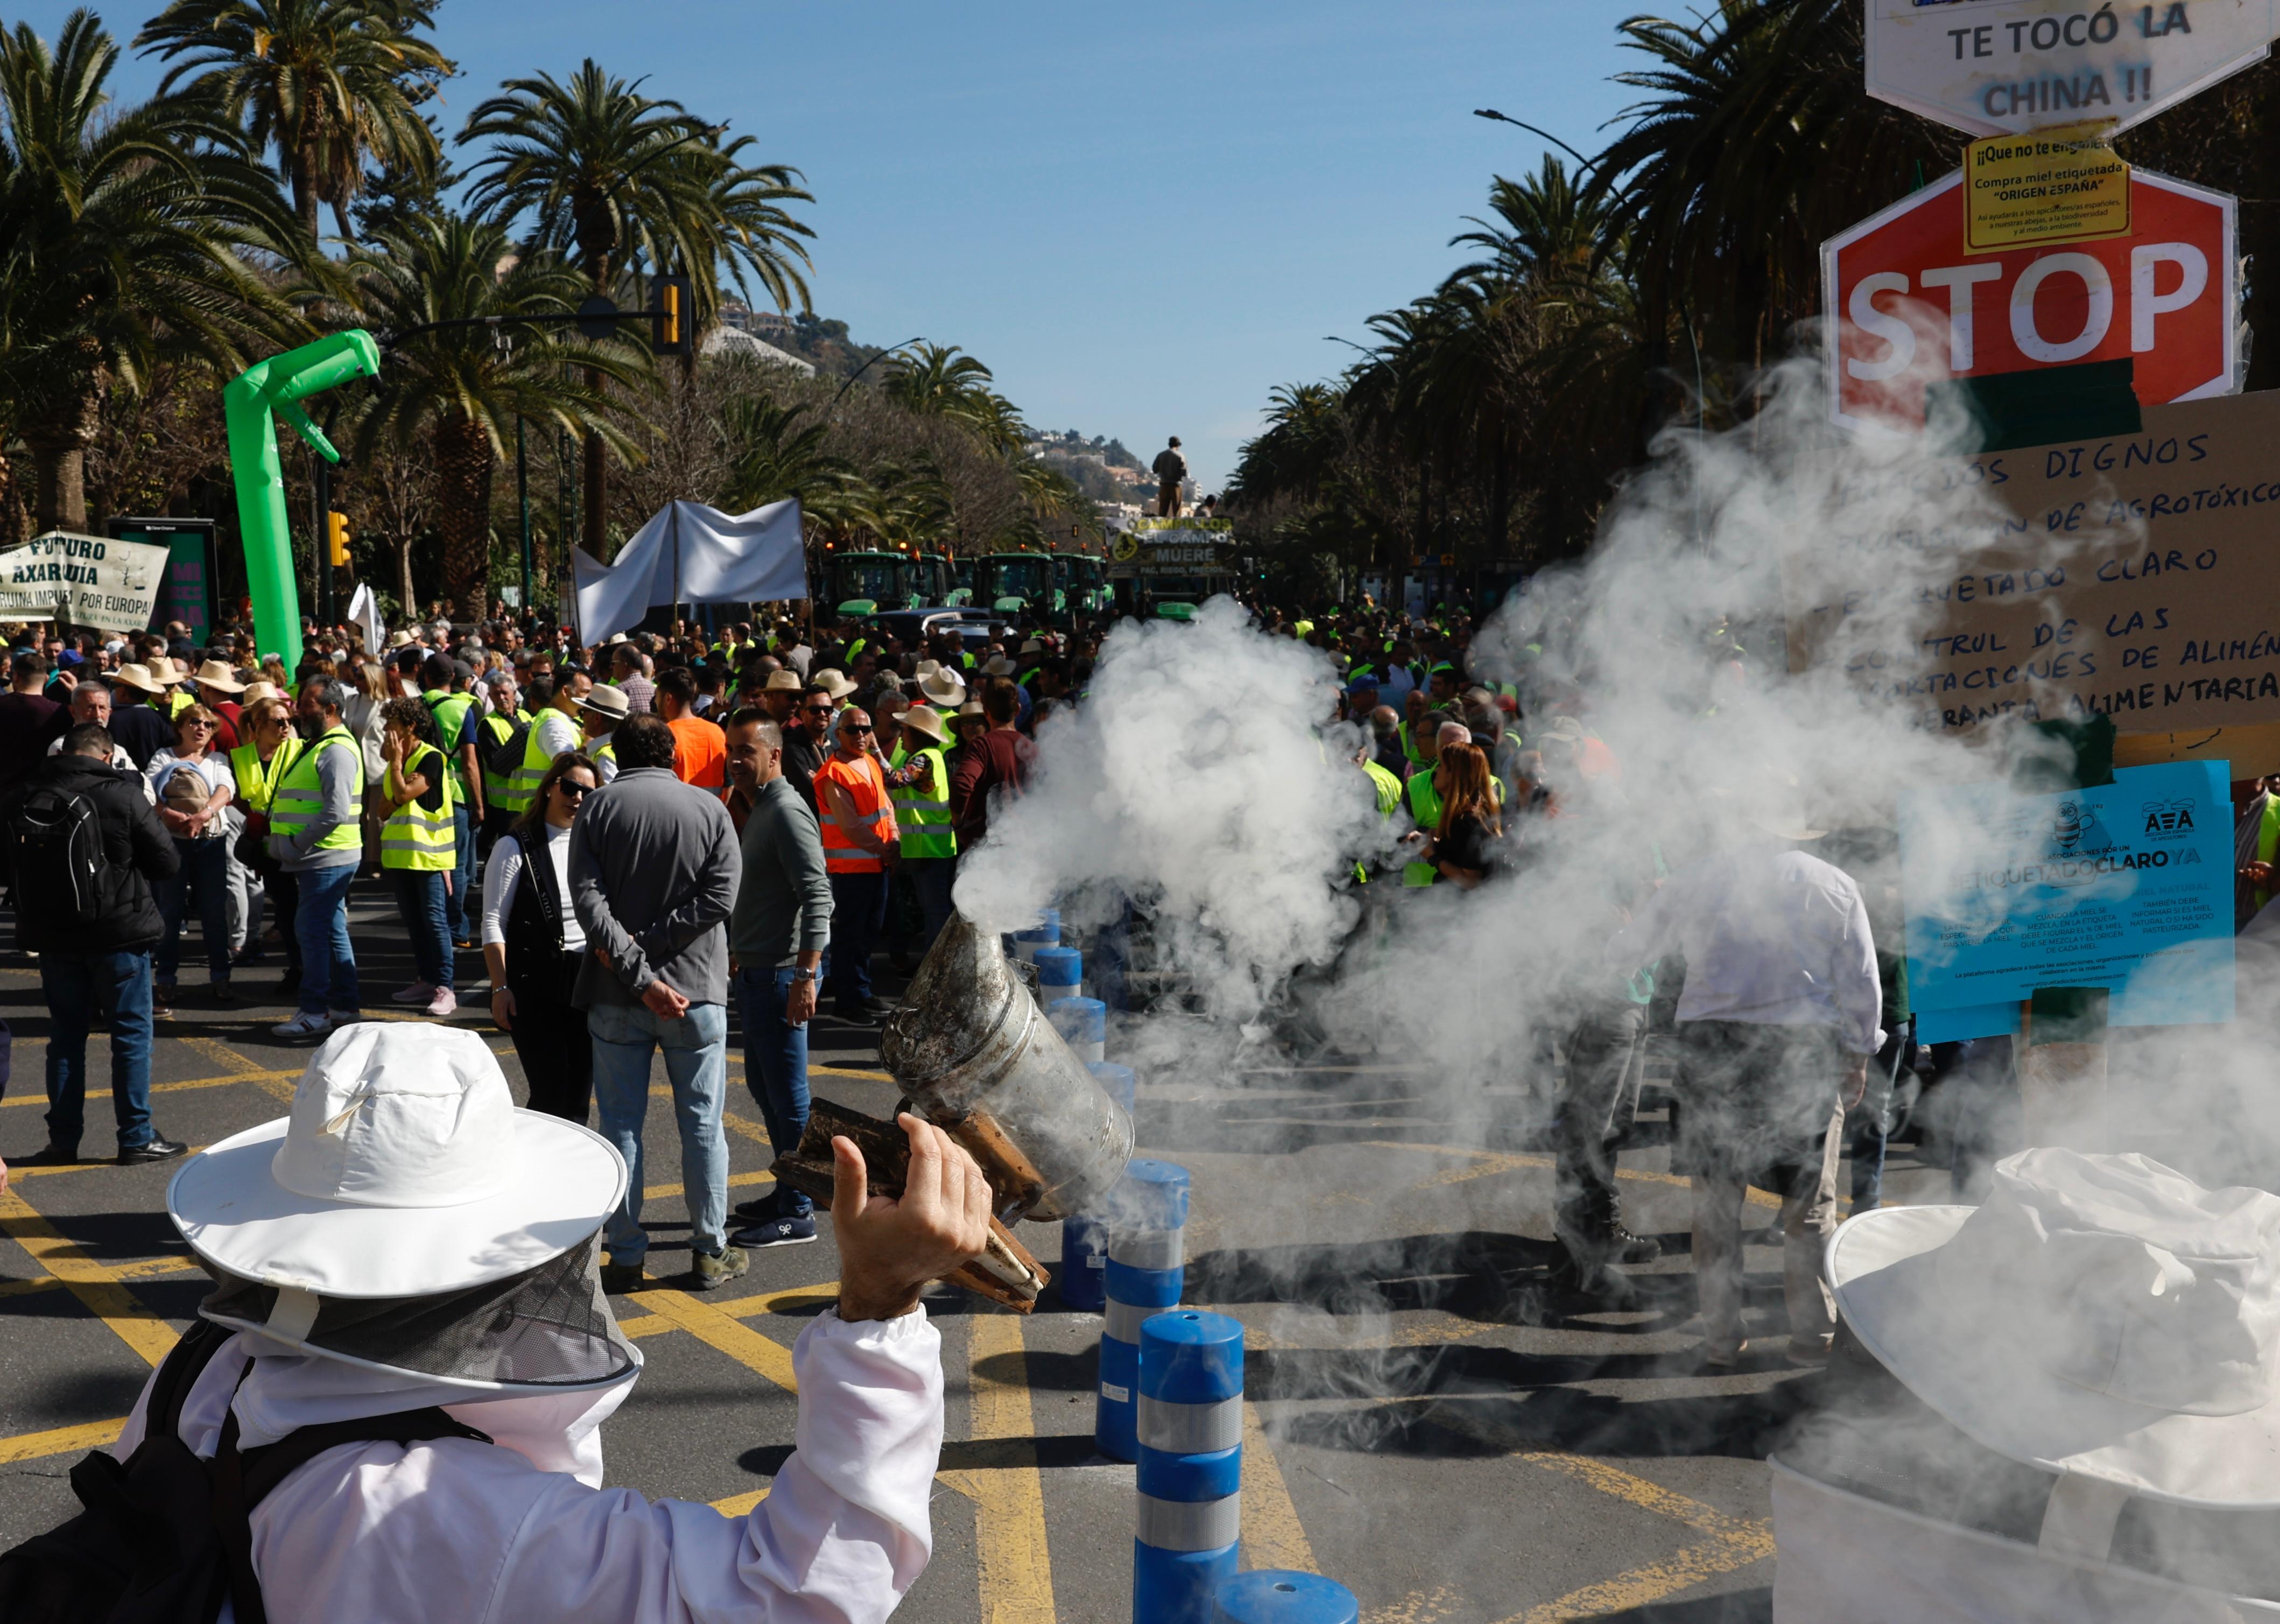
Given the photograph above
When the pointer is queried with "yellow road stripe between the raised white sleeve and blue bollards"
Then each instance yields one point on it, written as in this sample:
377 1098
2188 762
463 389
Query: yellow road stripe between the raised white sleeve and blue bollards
1009 1502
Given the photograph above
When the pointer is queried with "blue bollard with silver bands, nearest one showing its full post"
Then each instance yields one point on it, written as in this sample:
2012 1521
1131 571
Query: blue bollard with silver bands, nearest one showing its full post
1189 1520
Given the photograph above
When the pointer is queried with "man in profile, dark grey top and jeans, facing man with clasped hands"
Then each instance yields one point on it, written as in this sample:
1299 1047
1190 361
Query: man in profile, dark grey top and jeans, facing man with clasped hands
776 943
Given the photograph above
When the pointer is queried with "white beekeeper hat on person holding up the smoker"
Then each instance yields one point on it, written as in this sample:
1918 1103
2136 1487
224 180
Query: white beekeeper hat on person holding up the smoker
402 1171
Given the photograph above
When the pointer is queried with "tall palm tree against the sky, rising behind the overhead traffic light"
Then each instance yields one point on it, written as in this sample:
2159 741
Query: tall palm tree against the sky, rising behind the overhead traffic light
614 177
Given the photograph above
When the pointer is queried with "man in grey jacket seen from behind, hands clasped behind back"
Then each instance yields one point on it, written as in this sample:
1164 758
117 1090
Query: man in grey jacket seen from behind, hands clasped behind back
653 877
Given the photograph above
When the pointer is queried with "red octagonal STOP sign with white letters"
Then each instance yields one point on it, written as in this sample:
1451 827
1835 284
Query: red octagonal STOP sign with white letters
1907 307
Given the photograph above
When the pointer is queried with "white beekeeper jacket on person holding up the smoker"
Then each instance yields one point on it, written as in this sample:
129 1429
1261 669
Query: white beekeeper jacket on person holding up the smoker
457 1532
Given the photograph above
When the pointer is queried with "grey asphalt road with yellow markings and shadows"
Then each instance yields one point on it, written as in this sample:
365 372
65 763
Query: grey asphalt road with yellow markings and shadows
1433 1420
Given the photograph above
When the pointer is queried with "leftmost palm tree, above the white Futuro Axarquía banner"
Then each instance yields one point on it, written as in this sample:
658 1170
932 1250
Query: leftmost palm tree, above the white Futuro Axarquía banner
120 247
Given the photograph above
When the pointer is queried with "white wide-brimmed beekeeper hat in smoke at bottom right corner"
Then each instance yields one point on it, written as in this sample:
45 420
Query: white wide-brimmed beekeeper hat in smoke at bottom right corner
2099 1317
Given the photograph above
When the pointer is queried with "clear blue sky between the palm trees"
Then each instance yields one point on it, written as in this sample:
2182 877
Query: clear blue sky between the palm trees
1141 218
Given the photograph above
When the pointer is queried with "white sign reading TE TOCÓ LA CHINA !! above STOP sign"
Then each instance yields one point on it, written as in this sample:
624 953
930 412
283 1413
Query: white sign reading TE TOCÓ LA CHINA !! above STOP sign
1998 67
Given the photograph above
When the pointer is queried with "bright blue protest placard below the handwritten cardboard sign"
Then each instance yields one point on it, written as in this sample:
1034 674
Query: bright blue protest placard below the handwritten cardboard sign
2126 888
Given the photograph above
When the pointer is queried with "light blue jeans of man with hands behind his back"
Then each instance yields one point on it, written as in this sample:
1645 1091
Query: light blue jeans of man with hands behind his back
697 1064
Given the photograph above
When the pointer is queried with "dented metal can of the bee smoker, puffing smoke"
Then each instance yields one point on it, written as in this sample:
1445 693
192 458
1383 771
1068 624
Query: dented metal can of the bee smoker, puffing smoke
979 1059
